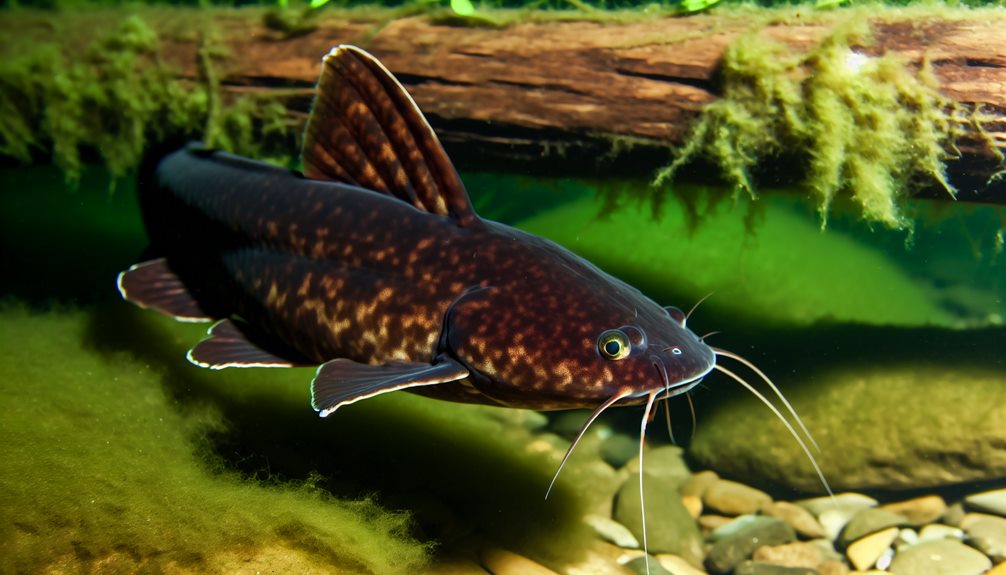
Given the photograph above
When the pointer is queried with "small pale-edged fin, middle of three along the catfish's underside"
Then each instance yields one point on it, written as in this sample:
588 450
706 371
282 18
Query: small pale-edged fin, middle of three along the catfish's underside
228 345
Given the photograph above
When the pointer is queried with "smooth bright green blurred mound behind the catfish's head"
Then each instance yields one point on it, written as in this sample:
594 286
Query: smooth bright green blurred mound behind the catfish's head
789 272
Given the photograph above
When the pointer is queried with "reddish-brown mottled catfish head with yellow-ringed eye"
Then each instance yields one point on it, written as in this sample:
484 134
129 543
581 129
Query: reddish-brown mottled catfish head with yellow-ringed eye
574 344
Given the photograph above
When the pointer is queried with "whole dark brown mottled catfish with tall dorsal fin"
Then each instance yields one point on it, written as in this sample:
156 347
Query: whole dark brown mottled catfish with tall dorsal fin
374 266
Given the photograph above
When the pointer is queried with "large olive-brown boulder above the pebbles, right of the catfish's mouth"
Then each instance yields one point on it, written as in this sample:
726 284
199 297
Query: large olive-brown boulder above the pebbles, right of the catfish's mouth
853 409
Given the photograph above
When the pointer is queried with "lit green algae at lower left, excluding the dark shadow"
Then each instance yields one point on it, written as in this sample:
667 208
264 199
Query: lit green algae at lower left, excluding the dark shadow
100 461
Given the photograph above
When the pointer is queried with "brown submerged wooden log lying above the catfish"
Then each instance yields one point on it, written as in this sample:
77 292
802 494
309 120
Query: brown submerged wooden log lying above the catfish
597 99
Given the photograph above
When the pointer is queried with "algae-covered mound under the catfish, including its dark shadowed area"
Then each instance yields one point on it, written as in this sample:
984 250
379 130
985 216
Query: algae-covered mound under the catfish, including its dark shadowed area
117 452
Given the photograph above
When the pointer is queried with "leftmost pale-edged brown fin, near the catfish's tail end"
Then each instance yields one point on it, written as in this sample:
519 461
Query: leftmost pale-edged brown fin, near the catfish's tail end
153 285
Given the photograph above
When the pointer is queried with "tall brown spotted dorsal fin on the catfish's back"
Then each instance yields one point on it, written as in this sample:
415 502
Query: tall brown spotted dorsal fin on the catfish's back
366 130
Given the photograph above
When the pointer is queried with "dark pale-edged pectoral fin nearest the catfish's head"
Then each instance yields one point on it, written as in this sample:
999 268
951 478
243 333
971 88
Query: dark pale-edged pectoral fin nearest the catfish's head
342 381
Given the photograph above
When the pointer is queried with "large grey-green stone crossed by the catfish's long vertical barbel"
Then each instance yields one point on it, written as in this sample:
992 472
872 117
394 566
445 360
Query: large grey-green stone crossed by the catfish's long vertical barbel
669 528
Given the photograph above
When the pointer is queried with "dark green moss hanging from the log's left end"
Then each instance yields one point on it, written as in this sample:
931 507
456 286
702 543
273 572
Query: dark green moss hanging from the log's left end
115 101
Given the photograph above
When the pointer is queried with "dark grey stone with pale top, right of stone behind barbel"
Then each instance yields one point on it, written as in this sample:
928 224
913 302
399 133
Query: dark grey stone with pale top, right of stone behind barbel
738 540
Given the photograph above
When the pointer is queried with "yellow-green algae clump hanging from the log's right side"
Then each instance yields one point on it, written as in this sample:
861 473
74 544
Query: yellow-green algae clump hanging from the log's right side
871 126
